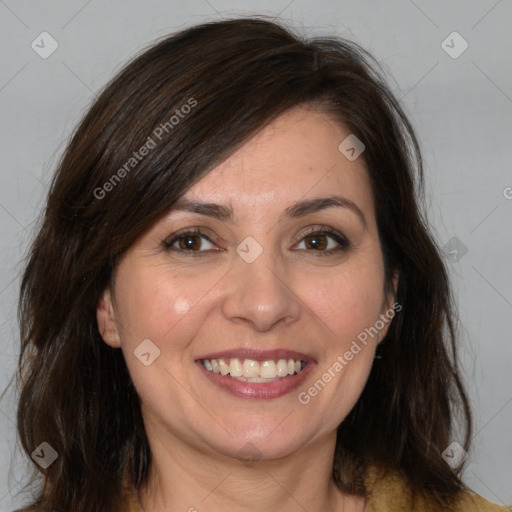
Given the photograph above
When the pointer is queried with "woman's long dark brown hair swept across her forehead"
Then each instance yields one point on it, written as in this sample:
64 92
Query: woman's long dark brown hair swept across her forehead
236 76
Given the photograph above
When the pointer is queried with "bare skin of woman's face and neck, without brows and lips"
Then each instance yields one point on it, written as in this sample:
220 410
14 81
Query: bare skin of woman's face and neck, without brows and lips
287 298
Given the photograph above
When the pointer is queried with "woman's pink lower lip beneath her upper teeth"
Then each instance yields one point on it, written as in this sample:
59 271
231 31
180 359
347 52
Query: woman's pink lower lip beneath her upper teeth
264 390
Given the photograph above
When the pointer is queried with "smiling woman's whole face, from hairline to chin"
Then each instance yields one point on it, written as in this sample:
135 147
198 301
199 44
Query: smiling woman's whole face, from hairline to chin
293 273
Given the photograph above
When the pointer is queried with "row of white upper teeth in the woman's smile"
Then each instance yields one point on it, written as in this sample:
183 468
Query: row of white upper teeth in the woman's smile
249 370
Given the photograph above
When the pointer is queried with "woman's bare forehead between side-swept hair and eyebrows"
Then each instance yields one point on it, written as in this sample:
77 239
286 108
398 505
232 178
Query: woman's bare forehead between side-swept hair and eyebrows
295 156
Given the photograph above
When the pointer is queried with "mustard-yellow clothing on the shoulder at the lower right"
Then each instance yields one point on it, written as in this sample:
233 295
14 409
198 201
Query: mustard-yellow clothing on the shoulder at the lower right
388 492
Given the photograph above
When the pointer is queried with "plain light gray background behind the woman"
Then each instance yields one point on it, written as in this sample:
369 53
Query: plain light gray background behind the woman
461 108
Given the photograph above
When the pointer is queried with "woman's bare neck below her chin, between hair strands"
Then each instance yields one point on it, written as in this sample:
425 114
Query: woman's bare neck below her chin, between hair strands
191 478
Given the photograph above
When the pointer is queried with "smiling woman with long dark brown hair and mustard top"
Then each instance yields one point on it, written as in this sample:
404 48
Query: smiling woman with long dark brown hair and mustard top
233 301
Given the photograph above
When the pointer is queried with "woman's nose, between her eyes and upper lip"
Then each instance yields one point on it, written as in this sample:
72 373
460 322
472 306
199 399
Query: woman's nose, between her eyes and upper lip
260 295
